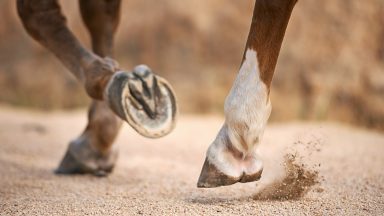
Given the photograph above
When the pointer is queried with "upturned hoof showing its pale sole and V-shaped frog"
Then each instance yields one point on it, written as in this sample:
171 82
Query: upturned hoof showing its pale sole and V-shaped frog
146 101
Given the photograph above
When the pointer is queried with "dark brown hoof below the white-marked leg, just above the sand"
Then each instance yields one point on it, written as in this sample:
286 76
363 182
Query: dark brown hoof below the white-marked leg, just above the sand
212 177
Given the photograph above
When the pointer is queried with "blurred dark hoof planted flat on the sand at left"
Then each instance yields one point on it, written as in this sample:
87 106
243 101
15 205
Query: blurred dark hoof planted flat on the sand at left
80 158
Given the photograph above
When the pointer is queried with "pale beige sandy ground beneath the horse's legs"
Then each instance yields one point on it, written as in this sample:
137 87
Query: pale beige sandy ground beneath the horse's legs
158 177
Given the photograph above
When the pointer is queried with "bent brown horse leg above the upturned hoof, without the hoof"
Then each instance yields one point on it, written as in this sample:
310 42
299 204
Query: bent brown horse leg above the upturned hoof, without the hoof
44 21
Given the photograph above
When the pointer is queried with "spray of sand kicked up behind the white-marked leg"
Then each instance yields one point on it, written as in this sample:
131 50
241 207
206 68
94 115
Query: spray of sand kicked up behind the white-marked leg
293 172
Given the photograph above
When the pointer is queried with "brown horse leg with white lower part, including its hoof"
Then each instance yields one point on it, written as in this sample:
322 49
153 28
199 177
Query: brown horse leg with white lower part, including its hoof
233 156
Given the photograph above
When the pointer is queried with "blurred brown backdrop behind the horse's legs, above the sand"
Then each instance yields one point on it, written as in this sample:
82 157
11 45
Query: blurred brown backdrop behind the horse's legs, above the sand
331 65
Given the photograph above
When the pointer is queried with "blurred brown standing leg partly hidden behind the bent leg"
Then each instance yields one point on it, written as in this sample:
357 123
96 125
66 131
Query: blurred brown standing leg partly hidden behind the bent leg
93 152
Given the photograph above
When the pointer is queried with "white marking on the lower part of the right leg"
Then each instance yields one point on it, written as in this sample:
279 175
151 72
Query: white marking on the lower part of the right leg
247 109
